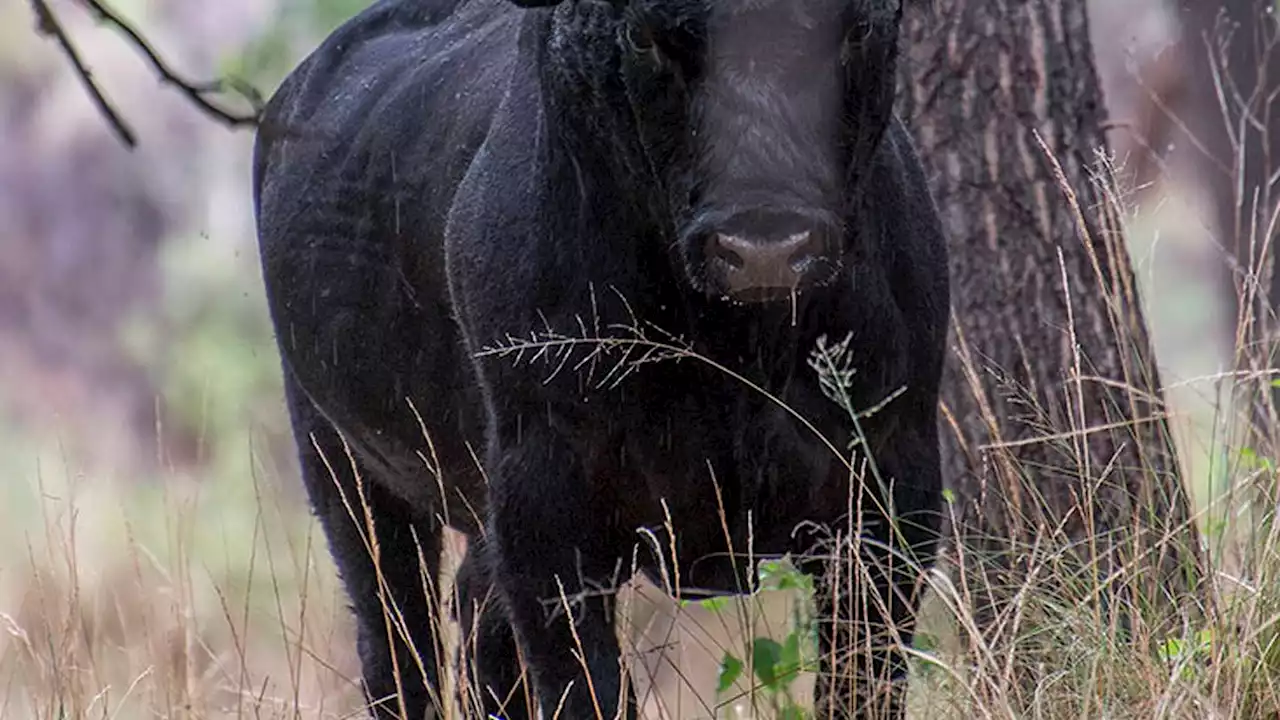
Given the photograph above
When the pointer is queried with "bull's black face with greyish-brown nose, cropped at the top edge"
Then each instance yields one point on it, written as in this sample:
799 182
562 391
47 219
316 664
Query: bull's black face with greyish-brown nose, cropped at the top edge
757 119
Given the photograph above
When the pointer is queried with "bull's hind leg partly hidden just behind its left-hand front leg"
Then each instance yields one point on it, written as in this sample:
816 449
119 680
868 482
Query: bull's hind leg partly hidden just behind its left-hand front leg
488 644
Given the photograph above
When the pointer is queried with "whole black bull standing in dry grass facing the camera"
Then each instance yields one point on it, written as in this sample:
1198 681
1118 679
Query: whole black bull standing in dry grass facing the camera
447 177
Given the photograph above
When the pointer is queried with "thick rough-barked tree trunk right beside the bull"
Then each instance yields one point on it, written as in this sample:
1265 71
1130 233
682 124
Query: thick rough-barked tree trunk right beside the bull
1052 395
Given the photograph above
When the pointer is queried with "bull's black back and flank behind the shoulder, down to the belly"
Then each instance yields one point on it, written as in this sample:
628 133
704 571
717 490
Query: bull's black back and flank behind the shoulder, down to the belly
358 160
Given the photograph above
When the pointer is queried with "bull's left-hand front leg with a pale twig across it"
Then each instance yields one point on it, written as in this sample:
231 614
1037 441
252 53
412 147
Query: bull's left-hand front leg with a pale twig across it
556 567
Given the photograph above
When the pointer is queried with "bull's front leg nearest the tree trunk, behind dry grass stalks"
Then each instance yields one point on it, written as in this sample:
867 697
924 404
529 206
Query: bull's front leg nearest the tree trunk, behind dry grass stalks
871 582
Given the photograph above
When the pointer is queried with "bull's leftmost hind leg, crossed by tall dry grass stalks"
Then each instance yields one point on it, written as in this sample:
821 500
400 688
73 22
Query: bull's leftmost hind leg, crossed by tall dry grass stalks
397 623
